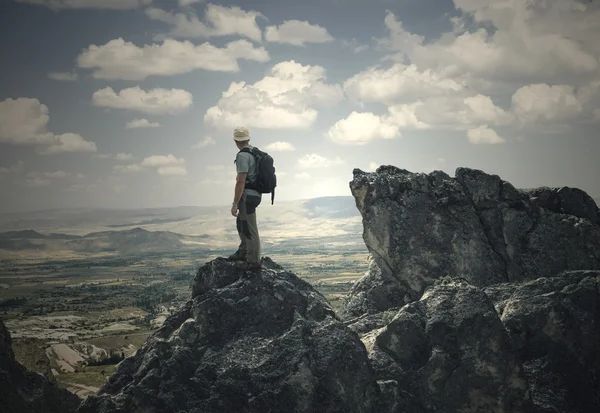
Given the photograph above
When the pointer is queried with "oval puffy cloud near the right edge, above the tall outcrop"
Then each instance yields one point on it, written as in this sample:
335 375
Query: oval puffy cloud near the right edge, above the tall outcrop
544 103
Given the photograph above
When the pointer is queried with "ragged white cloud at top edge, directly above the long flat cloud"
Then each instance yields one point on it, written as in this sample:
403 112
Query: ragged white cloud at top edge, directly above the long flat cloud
219 21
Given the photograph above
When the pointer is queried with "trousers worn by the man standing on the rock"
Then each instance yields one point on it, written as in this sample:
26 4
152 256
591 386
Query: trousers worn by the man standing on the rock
247 228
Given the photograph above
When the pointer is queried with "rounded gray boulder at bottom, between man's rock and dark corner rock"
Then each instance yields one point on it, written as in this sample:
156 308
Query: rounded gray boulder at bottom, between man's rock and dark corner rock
446 352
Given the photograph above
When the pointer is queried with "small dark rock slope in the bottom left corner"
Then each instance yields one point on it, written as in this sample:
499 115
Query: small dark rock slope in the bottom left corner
24 391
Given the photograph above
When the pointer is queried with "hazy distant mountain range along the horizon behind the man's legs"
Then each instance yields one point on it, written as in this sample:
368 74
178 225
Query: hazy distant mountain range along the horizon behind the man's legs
89 231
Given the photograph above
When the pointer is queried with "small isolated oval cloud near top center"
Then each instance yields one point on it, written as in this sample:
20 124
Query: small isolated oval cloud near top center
297 33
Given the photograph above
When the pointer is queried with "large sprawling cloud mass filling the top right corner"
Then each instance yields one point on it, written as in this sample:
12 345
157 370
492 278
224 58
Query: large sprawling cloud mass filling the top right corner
528 40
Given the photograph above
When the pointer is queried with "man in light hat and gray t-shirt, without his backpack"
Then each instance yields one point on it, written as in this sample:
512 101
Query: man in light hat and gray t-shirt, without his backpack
245 201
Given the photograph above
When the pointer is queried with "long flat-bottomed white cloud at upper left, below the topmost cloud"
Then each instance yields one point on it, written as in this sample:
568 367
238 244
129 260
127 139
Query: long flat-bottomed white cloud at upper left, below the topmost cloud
118 59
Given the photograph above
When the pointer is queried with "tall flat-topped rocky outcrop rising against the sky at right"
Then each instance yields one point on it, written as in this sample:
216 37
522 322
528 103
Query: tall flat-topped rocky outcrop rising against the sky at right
421 227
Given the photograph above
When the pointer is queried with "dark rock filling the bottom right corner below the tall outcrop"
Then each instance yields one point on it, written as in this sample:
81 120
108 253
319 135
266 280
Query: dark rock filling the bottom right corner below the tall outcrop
554 324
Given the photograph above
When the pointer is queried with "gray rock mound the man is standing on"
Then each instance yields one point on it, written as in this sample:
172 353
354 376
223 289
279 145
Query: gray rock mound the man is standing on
265 342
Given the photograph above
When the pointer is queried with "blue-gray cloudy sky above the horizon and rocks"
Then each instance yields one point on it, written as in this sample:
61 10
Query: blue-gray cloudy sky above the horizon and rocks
132 103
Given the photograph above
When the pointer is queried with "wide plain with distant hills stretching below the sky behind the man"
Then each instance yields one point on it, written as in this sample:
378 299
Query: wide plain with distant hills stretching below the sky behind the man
81 289
